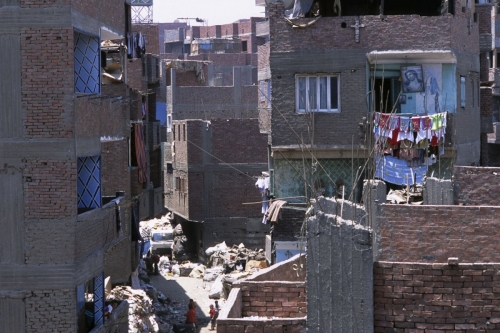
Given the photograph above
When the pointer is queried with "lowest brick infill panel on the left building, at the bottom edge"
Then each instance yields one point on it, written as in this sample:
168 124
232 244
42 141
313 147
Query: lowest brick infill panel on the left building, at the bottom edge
51 311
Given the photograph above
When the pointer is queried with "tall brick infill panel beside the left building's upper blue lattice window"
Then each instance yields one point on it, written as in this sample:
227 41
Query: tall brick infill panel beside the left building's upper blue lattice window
47 77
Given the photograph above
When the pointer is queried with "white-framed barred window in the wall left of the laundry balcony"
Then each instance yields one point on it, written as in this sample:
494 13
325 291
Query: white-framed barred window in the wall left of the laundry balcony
317 93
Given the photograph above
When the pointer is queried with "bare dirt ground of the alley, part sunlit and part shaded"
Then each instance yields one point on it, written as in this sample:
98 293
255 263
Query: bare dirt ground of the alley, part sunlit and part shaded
181 290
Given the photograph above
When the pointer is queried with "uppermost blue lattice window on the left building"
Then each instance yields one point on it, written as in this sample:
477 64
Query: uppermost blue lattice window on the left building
87 64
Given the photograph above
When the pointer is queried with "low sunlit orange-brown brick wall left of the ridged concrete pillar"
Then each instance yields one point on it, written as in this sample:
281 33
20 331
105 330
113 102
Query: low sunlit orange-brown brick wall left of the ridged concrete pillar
274 299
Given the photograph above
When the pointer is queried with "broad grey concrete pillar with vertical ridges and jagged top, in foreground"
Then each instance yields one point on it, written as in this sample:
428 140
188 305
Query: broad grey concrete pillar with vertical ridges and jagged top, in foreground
339 275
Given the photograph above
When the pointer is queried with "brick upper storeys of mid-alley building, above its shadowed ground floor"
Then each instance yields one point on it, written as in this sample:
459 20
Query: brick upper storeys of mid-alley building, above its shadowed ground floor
228 187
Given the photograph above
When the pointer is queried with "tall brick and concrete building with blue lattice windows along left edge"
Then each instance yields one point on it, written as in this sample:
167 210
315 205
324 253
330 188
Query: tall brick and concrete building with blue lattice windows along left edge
73 161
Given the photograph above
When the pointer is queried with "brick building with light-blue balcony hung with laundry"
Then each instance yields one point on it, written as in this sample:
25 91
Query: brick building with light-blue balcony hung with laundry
332 73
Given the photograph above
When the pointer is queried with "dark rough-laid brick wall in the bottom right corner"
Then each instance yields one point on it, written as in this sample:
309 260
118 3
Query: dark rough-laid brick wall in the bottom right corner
417 297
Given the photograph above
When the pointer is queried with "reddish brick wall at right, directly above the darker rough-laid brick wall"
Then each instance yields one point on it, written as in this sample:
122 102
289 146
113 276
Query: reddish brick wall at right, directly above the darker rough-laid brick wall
435 233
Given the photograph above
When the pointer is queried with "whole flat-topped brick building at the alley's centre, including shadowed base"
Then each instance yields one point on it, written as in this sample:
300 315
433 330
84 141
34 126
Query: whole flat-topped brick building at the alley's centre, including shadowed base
210 177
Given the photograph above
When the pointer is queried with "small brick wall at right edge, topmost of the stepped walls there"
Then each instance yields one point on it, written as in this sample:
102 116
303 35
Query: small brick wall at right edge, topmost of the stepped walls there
476 186
